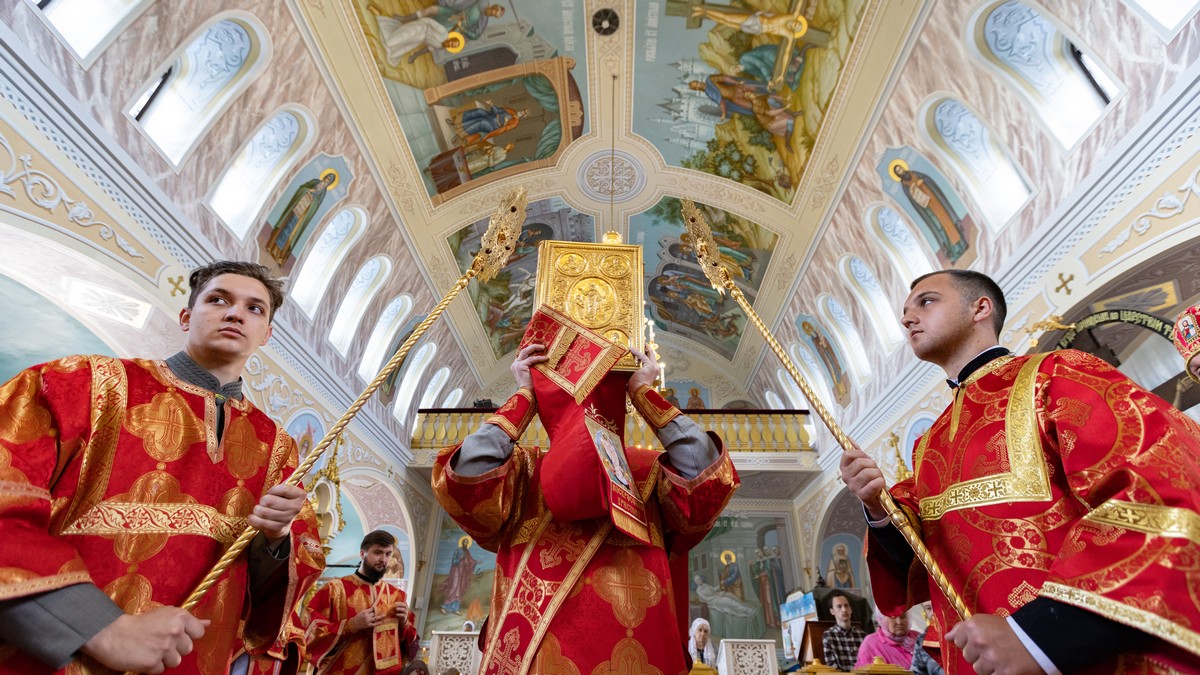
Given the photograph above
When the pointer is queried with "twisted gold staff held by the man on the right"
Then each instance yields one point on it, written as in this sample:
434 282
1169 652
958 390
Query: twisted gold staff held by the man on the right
710 259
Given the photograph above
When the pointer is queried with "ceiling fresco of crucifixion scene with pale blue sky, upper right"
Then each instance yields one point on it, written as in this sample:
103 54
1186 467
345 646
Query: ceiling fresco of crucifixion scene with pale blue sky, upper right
741 92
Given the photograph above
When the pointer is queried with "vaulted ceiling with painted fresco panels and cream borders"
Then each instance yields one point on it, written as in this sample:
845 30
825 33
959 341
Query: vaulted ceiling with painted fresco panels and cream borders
609 126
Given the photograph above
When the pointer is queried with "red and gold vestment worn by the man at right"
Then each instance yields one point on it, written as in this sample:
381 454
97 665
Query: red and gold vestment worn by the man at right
1055 476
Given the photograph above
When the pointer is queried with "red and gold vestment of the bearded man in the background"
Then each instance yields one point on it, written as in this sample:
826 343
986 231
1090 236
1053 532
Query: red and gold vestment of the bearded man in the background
337 652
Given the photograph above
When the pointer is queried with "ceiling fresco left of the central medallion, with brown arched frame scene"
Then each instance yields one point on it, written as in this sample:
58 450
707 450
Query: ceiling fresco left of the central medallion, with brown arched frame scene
483 92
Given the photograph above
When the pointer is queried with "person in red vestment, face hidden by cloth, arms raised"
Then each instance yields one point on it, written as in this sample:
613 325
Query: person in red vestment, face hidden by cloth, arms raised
591 576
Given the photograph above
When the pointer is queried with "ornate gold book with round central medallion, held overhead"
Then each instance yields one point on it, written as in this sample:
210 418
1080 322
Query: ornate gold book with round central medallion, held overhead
599 286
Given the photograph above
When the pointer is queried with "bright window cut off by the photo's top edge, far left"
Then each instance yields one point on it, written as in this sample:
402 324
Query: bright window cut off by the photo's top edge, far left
89 27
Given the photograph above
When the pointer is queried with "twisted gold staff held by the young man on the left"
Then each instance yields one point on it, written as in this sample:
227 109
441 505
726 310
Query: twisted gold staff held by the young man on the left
497 247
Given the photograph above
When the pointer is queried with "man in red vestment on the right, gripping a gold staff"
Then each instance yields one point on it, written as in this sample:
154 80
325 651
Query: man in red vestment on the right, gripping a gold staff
1060 499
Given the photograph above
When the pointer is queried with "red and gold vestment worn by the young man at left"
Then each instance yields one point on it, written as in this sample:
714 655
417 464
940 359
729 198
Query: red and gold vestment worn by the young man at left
111 474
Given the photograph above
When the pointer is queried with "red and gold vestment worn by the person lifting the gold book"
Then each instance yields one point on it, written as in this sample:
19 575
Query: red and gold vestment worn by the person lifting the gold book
583 598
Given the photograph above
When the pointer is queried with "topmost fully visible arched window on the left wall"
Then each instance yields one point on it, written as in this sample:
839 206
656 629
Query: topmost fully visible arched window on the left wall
177 110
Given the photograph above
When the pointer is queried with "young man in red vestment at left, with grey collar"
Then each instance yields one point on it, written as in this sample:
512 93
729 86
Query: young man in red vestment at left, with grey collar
124 481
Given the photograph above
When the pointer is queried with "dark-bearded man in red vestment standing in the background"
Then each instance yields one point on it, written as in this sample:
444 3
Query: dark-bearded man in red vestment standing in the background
361 625
